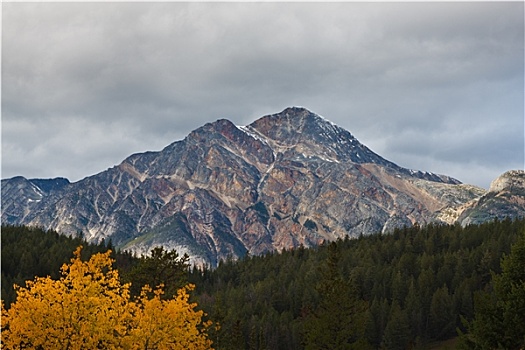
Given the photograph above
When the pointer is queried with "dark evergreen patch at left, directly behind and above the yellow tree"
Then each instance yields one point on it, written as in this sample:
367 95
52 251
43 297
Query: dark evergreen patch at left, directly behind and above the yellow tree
28 252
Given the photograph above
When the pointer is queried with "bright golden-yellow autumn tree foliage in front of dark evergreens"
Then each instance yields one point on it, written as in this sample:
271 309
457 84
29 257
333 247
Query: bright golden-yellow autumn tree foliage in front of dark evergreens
89 308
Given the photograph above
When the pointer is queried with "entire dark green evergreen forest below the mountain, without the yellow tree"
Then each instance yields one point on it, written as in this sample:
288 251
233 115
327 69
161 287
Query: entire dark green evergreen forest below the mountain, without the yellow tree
403 290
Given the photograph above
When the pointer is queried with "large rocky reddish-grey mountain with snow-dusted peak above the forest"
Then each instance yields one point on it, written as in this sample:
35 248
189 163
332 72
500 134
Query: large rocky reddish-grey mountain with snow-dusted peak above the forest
287 179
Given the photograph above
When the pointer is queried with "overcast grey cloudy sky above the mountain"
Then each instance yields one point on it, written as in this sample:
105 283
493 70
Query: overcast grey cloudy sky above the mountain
430 86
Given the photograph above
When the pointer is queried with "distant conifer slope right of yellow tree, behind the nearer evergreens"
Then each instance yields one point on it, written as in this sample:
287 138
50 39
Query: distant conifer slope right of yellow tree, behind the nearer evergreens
416 283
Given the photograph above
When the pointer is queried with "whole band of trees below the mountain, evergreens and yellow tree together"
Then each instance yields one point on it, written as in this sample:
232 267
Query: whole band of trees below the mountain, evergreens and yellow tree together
396 291
